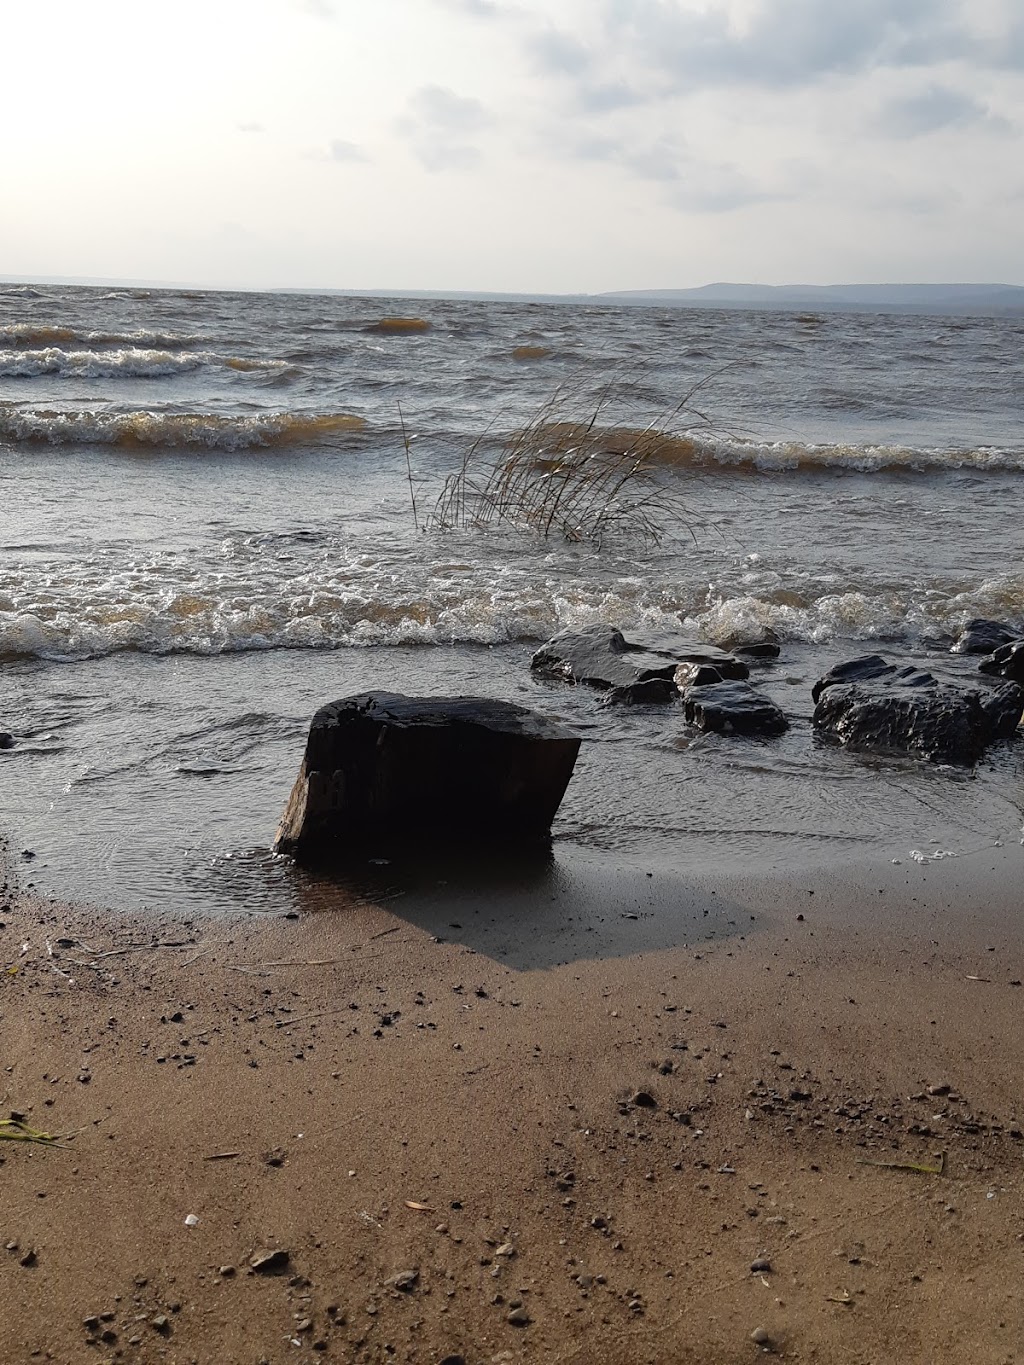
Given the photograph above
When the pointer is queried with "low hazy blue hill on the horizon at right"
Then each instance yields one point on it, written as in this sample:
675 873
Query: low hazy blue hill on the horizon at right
985 300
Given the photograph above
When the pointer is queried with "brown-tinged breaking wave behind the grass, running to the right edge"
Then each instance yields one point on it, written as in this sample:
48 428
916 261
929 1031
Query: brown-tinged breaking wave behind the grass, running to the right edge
708 450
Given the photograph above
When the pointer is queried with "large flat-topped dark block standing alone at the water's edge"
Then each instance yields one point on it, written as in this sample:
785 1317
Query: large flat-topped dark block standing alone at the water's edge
384 769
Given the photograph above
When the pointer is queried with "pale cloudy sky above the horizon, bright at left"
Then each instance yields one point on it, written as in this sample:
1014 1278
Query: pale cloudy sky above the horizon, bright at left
513 145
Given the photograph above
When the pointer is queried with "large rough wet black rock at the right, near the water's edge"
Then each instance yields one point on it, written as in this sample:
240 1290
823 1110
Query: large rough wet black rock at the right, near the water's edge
872 705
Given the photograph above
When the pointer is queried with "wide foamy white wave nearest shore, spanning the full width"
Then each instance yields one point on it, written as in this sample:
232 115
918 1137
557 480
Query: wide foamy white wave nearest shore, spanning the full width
268 603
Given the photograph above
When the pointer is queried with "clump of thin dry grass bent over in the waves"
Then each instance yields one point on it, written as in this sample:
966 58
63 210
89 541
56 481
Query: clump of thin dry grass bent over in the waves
585 478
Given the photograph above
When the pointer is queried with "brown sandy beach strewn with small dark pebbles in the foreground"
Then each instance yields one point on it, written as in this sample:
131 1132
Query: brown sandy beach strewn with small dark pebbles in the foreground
569 1136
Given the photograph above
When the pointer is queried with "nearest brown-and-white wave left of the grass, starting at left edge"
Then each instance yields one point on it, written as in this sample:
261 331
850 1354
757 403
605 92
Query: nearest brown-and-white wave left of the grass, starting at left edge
173 429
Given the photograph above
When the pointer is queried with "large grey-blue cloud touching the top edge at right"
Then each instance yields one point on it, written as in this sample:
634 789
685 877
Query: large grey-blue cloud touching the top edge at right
788 43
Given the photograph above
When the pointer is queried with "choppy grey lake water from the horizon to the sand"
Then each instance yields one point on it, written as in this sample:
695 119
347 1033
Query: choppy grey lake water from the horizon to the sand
205 533
